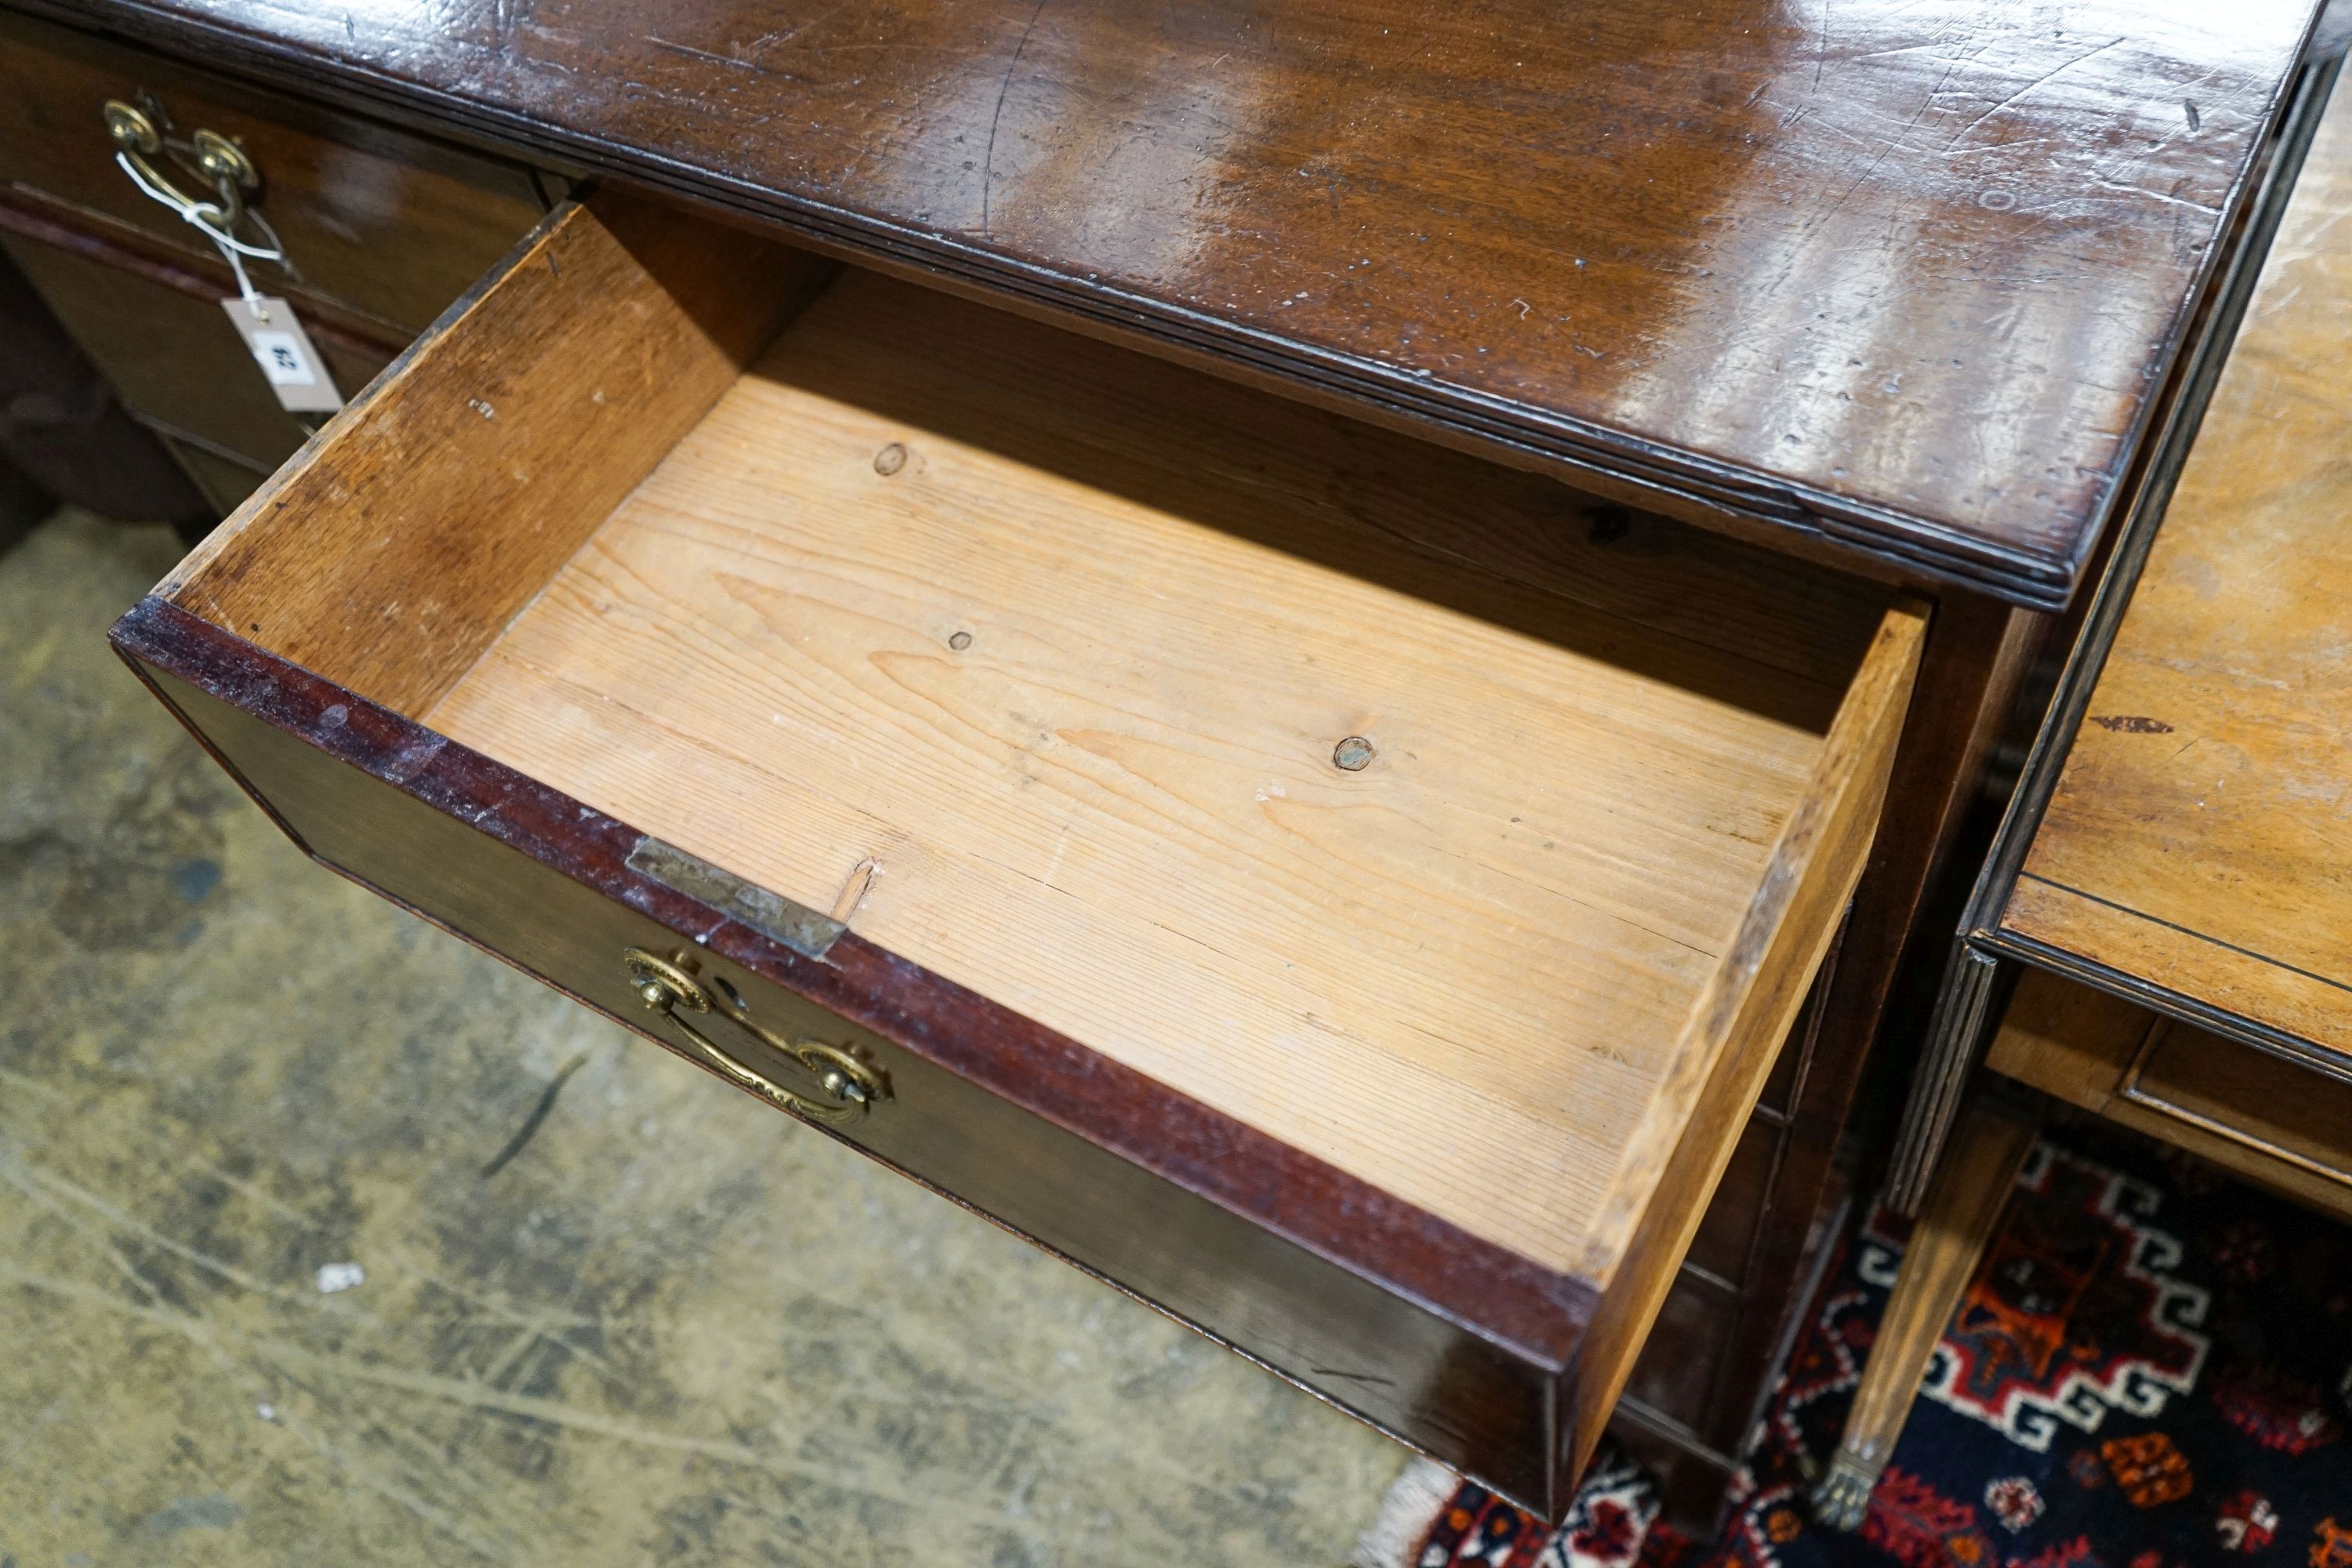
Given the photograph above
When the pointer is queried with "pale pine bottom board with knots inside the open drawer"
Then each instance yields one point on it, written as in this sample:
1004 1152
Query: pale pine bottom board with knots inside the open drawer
1114 808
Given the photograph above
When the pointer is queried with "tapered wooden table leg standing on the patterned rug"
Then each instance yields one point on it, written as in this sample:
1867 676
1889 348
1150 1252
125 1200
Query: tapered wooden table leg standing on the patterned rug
1956 1224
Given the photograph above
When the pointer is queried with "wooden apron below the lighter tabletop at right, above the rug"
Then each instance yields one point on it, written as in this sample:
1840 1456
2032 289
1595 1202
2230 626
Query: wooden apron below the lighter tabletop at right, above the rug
2271 1120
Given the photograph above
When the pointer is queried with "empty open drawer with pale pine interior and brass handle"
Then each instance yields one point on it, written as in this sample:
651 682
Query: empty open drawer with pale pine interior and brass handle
1337 890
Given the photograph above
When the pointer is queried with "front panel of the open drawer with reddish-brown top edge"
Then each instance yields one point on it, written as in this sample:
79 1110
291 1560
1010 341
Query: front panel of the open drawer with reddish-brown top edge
483 864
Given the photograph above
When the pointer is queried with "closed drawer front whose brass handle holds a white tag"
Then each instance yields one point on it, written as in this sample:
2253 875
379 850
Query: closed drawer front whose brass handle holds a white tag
389 225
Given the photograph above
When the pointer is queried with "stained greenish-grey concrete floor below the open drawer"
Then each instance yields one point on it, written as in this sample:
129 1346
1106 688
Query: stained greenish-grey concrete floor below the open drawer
674 1329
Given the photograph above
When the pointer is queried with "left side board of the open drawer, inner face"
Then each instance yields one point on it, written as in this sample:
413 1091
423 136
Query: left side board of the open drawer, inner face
425 516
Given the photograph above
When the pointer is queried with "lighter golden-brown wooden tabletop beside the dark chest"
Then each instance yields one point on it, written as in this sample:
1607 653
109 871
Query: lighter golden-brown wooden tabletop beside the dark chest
2198 836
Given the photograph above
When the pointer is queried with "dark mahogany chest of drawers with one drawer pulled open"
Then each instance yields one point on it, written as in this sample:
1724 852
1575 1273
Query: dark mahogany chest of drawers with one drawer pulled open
1278 648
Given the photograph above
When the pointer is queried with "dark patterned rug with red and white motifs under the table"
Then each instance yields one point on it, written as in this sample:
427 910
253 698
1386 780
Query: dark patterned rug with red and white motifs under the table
2151 1369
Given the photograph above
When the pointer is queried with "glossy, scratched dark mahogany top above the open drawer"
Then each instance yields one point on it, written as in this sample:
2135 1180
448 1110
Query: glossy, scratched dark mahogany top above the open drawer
1895 274
